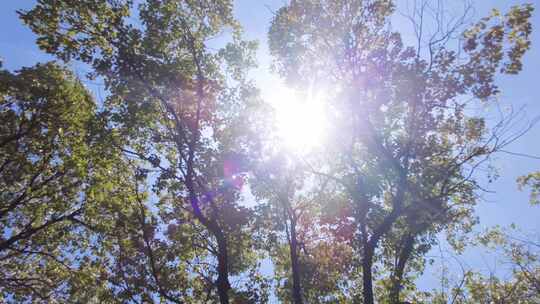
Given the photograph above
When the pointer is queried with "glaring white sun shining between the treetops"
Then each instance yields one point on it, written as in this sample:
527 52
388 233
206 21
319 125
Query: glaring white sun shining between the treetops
300 119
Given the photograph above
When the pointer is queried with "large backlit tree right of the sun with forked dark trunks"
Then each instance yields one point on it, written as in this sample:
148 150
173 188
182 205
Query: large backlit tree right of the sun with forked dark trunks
405 147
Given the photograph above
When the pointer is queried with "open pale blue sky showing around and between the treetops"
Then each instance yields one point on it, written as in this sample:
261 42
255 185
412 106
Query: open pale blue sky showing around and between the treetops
505 205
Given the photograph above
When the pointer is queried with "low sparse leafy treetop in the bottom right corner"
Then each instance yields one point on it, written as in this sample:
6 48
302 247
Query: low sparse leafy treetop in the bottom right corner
517 257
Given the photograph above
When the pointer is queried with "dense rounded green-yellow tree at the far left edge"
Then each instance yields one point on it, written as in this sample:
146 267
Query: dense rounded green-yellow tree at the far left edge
58 173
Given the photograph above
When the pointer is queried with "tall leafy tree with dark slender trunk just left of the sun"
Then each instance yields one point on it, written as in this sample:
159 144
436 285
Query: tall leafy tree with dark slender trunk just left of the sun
186 112
